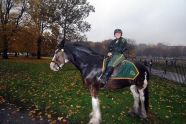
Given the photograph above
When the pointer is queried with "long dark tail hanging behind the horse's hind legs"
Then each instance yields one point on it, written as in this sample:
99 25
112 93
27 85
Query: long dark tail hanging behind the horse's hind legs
146 91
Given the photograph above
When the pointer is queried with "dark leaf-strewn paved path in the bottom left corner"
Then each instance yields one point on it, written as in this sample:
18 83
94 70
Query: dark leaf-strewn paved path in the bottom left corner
12 114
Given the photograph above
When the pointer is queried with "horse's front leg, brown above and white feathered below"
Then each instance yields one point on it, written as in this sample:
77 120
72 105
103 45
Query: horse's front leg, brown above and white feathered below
96 113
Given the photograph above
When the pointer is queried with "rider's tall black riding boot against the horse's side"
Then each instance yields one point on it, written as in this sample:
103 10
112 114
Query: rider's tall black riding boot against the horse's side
105 77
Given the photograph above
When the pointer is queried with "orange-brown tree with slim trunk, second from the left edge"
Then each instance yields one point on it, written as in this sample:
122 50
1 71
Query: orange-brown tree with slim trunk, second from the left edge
39 12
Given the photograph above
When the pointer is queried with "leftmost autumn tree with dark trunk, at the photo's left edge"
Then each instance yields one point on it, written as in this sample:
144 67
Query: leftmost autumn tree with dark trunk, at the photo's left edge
11 12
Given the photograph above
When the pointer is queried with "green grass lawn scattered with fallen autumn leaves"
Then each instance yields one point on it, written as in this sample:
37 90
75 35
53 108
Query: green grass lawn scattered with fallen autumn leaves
30 83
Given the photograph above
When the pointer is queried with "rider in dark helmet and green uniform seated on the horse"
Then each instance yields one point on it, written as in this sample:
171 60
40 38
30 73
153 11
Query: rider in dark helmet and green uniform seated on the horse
115 54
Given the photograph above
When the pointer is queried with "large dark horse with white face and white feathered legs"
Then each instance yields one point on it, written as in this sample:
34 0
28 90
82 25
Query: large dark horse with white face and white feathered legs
89 63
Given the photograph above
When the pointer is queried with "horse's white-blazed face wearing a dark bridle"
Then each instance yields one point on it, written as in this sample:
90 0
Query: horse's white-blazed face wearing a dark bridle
59 59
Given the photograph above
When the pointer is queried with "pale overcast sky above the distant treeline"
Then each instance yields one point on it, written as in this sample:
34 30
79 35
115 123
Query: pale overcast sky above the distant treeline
146 21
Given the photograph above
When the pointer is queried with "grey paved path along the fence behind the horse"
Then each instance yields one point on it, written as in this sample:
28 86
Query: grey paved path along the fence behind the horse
170 76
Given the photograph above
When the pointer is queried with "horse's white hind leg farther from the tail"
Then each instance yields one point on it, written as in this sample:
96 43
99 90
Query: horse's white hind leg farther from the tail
135 109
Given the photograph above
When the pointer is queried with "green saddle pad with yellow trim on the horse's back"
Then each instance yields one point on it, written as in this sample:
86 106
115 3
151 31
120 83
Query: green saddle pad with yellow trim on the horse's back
126 70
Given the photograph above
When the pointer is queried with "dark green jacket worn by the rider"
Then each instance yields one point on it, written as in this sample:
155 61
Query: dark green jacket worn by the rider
118 47
